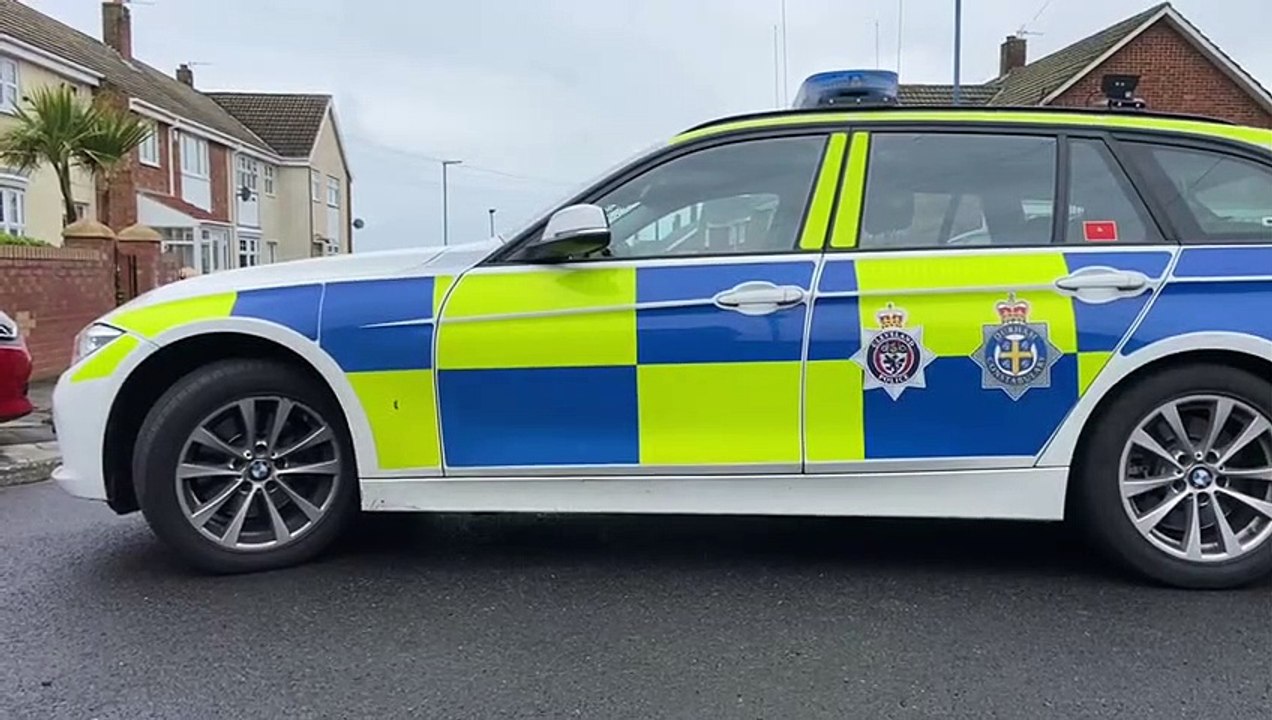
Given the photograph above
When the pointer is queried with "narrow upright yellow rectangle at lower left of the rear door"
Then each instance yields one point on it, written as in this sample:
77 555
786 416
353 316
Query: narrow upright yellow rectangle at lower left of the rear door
835 415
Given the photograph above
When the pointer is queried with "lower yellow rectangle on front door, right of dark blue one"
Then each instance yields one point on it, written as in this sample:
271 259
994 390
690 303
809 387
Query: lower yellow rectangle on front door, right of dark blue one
719 414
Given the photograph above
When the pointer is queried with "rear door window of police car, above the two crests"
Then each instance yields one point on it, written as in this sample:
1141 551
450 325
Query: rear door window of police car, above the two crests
955 190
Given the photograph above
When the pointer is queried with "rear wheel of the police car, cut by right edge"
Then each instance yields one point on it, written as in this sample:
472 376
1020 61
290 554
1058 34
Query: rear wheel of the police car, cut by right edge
1176 480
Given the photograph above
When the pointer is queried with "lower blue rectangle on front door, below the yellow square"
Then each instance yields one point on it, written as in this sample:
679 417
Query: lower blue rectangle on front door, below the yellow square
540 417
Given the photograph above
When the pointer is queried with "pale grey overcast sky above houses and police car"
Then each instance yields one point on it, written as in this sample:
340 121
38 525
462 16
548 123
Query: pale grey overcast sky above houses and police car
540 96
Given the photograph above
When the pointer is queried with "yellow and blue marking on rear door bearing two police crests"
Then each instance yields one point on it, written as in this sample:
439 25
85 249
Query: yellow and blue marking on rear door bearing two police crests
1009 367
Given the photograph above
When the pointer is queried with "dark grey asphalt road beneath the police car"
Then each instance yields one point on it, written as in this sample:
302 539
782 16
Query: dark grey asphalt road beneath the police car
614 618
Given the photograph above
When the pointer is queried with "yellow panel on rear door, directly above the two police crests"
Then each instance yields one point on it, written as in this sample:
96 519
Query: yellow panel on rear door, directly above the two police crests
953 320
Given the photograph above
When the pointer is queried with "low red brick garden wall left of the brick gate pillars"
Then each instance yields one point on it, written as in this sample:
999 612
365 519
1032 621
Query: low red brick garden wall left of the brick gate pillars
54 293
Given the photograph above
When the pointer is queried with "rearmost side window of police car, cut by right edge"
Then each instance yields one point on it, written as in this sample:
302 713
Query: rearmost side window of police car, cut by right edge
1220 197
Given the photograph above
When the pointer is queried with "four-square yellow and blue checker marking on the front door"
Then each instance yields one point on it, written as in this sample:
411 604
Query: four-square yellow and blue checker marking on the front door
620 367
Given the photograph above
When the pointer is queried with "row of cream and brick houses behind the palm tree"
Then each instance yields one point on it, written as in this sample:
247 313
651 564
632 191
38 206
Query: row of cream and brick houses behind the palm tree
219 193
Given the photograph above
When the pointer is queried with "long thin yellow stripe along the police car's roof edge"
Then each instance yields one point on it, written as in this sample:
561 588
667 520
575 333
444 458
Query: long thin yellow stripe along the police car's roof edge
1251 135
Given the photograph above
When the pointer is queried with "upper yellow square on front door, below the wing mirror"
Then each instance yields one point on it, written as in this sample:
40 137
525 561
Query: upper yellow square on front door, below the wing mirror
545 319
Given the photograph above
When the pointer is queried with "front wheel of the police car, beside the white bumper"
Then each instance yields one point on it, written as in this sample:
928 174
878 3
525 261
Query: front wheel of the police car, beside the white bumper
180 473
